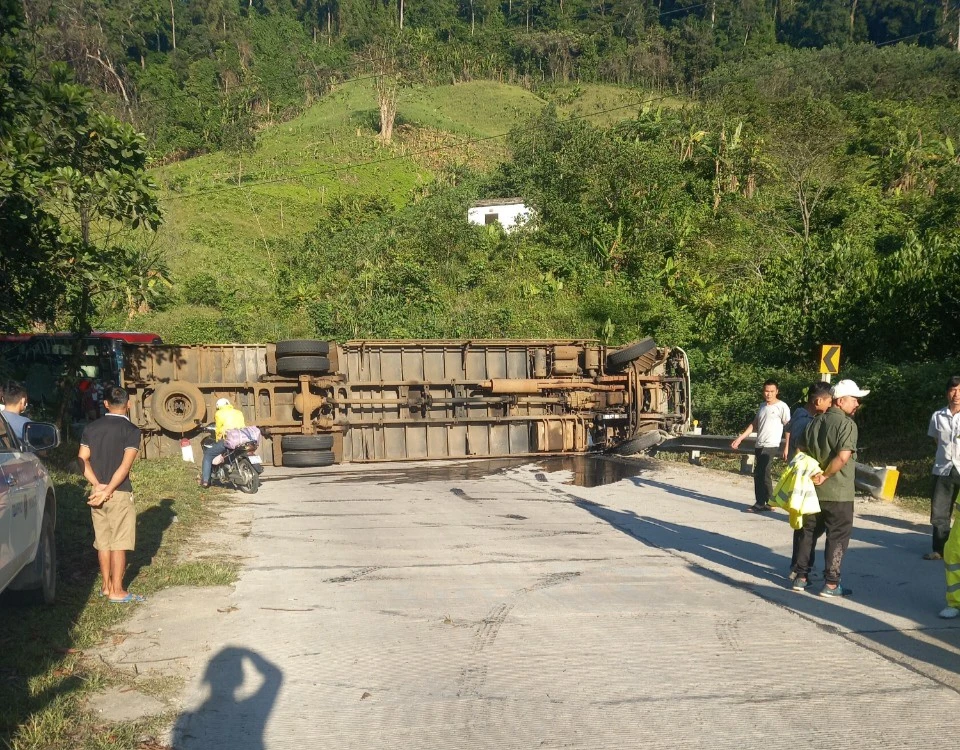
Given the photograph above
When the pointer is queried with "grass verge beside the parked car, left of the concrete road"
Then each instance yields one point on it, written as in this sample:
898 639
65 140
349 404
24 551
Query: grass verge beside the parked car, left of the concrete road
44 679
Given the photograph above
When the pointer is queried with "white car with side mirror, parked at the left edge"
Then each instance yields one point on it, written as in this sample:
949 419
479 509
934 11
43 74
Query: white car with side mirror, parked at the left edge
28 511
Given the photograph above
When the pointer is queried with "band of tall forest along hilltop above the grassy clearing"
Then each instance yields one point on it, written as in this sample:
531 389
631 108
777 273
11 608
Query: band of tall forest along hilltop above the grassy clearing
190 73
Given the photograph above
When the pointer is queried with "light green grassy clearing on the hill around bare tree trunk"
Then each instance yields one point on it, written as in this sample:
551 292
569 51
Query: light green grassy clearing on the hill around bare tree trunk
215 225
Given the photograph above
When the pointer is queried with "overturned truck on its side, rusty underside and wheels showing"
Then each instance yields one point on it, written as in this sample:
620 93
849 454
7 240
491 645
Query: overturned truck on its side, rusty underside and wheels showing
321 403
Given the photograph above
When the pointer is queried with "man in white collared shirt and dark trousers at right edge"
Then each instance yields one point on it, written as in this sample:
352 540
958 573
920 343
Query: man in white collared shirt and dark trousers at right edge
945 429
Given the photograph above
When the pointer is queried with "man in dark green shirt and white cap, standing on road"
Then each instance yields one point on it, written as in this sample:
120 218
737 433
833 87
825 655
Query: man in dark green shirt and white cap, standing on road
831 438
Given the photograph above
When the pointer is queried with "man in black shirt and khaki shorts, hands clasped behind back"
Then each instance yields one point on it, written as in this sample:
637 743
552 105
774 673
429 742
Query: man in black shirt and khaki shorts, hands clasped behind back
108 449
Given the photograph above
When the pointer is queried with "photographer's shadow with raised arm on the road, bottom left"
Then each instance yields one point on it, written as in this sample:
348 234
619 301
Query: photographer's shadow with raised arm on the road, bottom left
235 713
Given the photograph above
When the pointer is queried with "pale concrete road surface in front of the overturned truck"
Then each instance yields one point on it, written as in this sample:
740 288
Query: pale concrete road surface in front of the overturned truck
435 607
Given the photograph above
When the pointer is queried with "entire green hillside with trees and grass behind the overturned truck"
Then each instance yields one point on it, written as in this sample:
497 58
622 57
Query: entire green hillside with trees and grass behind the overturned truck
807 191
